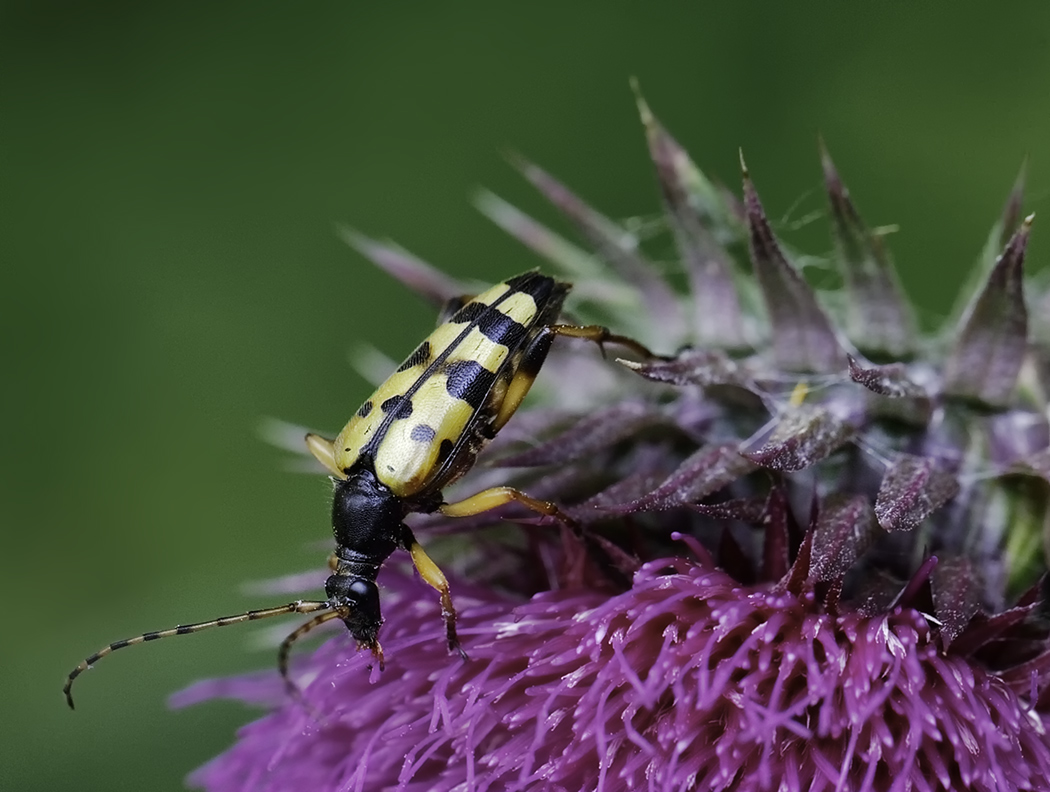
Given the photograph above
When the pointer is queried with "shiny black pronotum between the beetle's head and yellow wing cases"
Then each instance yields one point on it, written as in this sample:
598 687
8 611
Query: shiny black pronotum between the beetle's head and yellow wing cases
367 516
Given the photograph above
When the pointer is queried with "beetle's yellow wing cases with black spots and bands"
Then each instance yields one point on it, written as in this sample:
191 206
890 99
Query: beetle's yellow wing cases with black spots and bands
454 391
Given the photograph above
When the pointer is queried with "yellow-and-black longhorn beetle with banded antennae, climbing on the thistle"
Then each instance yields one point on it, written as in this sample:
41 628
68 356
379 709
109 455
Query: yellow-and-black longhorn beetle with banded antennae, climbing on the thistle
418 433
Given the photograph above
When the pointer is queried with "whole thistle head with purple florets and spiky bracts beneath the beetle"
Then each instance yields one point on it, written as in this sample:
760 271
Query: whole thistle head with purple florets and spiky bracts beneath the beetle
827 539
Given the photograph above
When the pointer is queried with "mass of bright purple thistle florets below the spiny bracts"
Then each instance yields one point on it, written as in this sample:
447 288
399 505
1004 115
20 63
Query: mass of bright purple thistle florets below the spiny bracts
687 681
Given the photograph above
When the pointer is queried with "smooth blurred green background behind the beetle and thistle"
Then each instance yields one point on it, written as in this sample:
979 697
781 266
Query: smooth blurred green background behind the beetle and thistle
171 179
